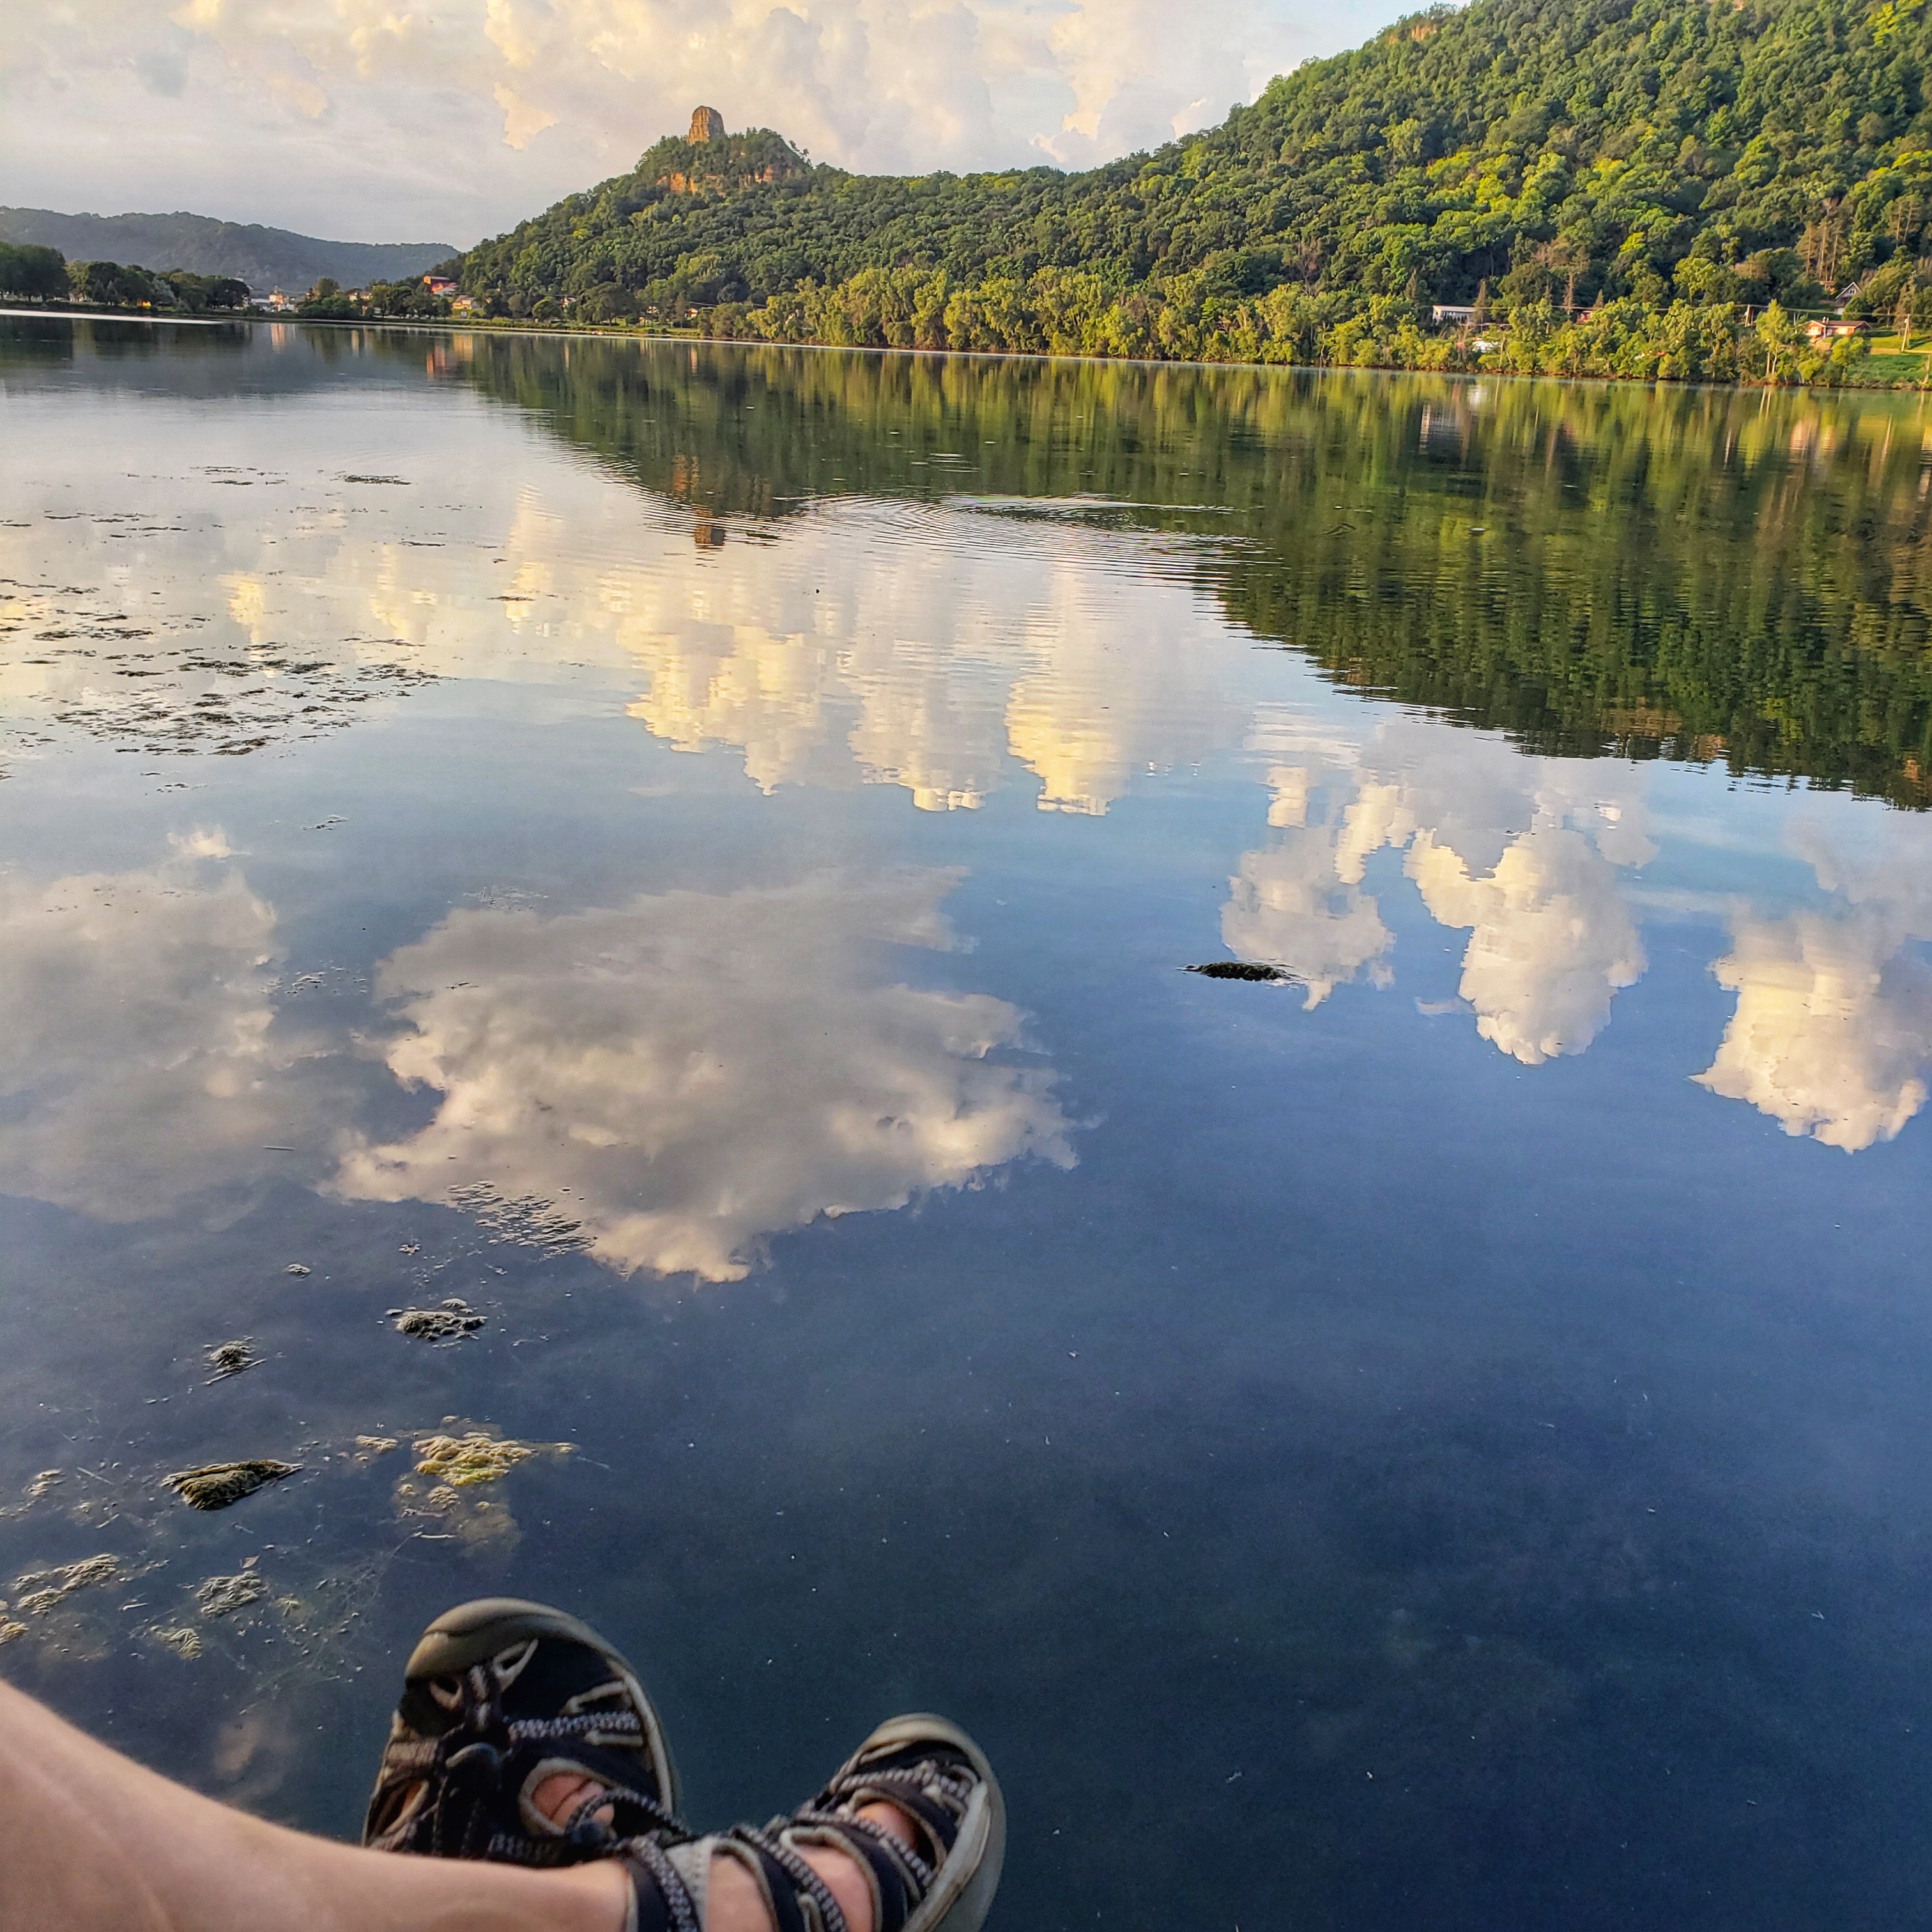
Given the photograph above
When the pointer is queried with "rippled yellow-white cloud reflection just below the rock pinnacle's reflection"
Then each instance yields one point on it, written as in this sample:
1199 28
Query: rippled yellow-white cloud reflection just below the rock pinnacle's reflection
932 664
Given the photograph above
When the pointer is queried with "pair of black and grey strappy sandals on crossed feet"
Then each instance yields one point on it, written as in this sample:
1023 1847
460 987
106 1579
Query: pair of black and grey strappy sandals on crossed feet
501 1697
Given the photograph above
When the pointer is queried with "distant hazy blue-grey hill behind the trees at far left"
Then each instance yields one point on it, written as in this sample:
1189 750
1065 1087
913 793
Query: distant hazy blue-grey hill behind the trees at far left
264 258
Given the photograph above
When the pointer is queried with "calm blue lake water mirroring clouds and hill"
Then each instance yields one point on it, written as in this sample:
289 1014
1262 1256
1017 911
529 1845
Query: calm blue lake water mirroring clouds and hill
693 853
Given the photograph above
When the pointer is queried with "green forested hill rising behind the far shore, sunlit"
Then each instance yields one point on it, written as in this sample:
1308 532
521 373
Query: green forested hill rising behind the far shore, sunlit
1541 156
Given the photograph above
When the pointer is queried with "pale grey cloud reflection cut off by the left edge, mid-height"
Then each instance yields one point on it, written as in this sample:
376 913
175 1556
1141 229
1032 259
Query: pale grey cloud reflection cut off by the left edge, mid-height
138 1048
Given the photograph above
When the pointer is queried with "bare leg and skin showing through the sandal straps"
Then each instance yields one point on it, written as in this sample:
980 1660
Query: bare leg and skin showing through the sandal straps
92 1842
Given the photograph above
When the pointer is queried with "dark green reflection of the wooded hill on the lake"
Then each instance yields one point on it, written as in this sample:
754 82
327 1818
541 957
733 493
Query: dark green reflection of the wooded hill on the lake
1693 575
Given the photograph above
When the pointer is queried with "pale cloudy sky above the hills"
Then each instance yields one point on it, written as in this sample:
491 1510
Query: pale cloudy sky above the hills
447 121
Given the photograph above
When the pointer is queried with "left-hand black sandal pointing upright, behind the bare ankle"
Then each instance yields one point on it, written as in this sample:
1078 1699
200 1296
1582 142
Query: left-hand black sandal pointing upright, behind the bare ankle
497 1697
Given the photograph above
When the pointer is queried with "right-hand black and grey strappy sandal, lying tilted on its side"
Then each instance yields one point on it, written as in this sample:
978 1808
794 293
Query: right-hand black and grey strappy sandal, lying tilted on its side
924 1767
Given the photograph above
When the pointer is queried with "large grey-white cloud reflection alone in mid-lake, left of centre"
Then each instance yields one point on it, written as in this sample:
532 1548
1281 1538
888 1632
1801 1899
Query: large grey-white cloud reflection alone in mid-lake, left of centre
691 1073
